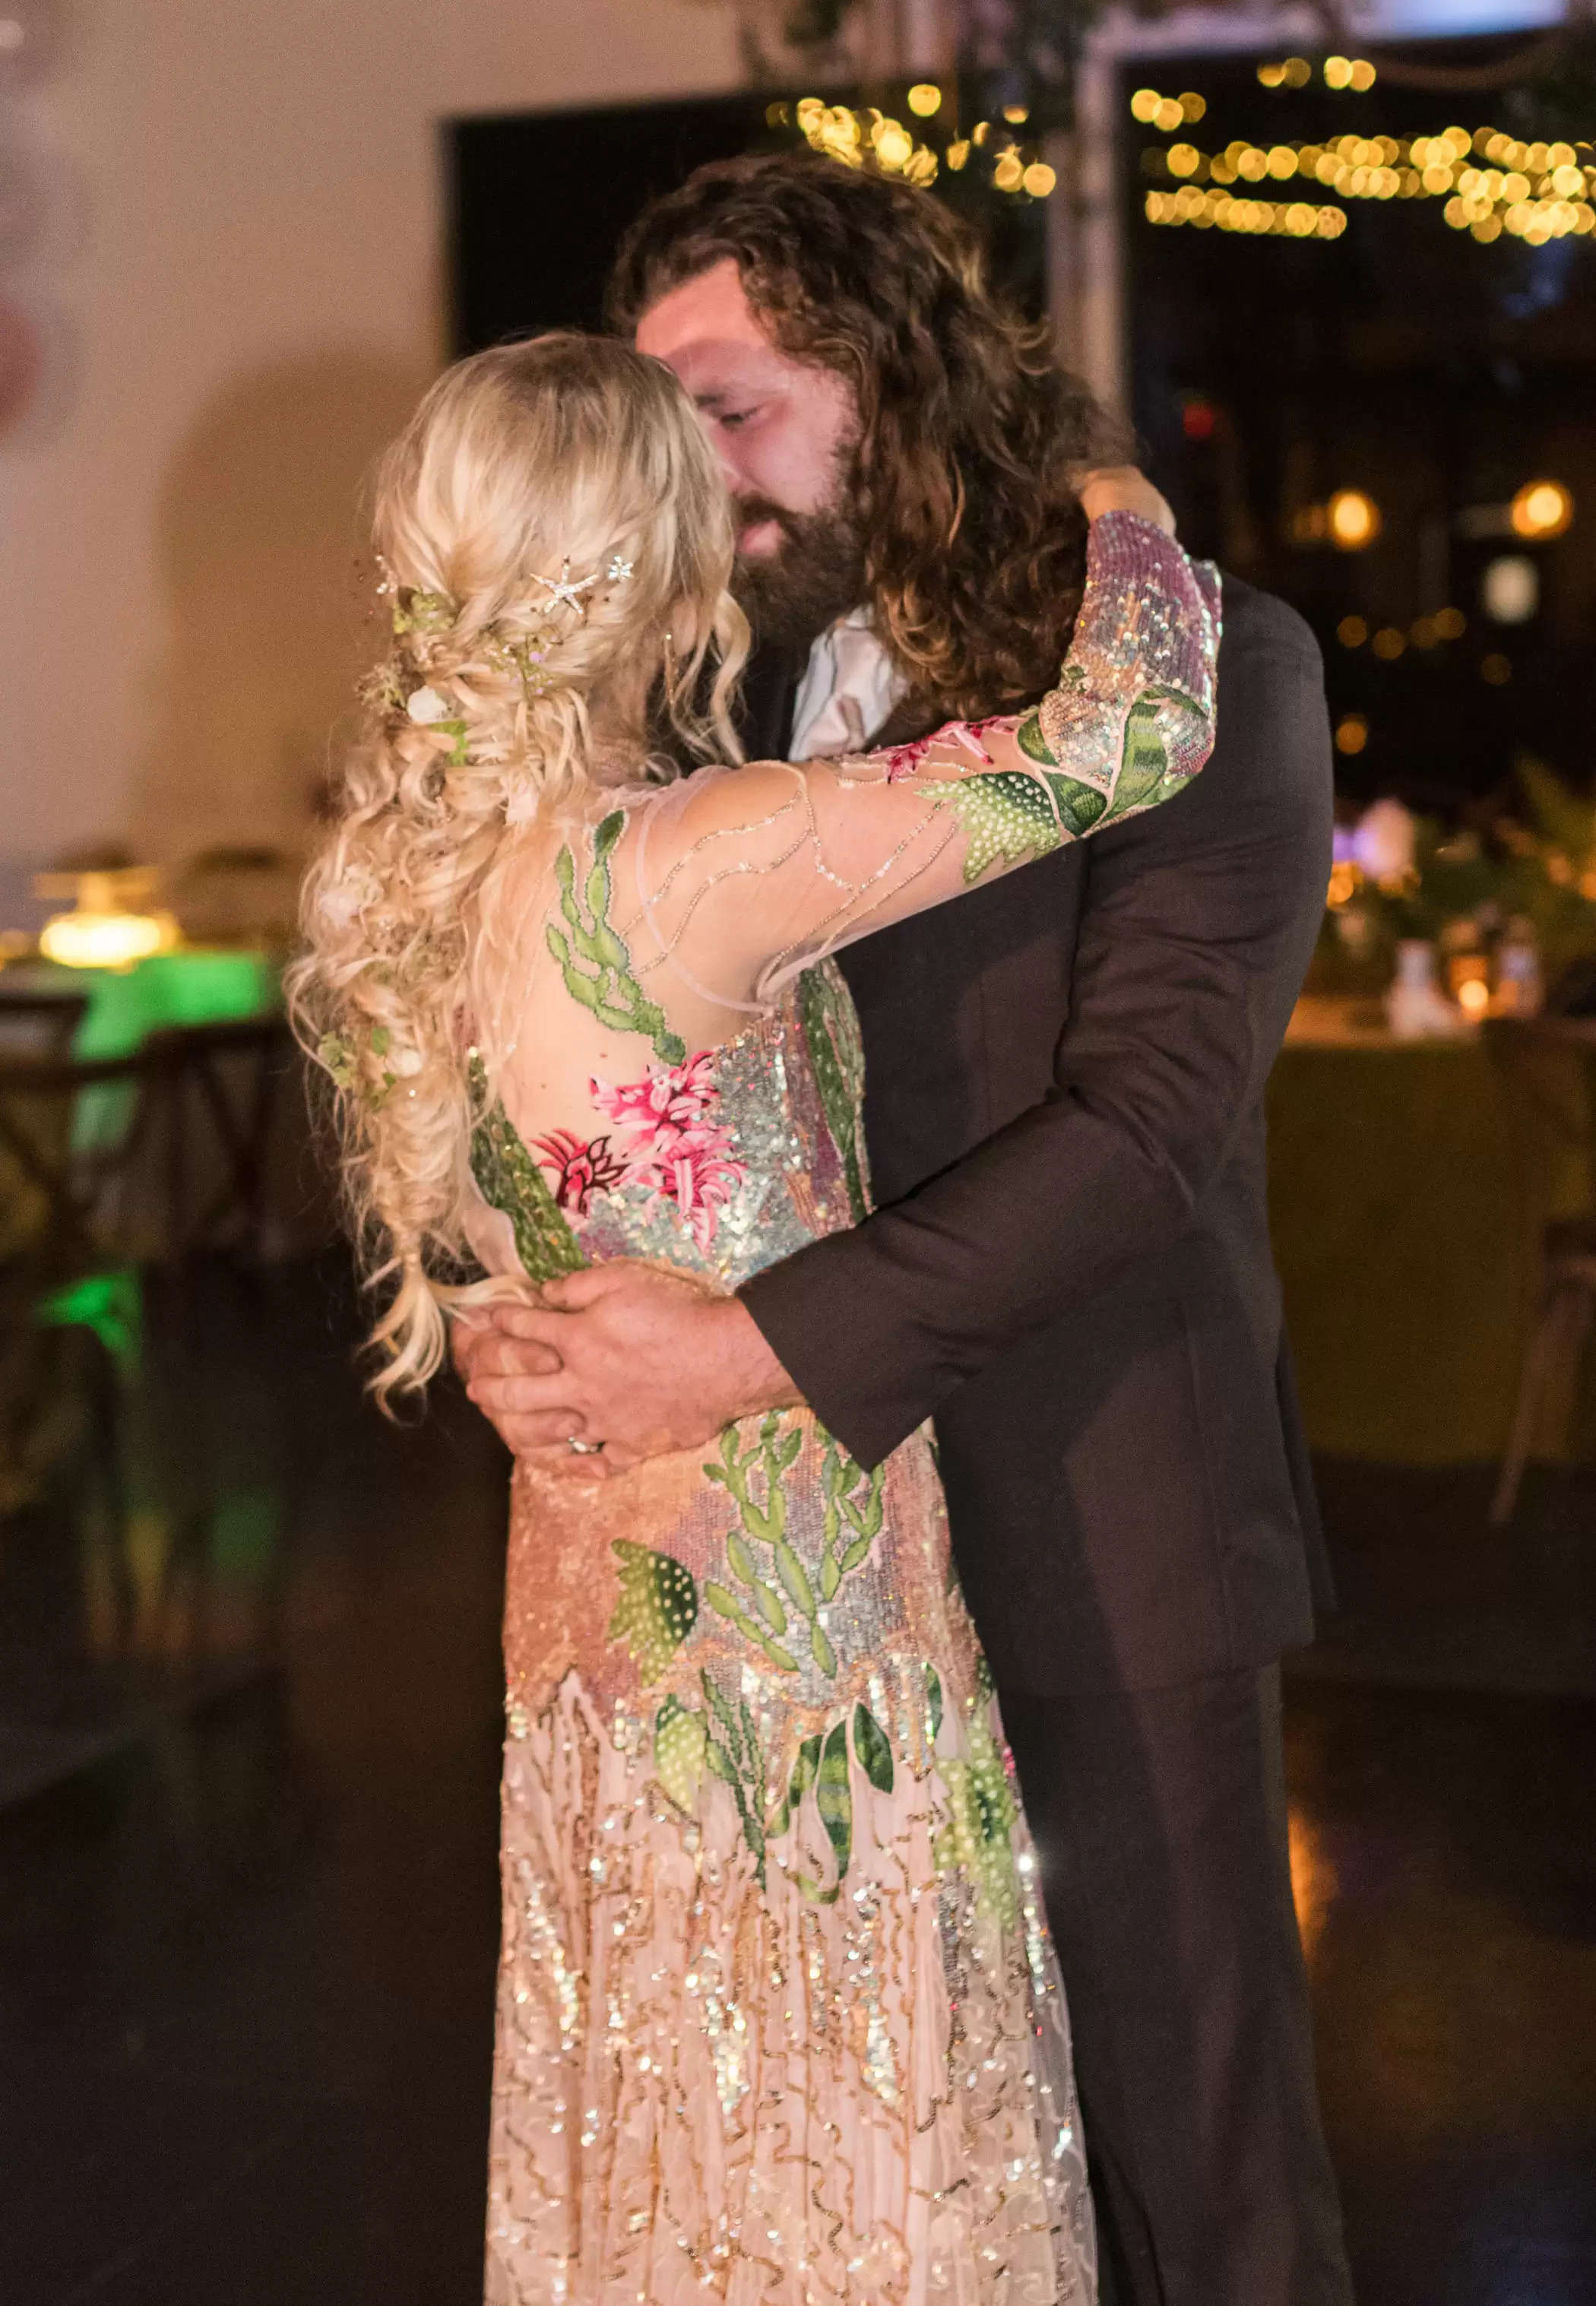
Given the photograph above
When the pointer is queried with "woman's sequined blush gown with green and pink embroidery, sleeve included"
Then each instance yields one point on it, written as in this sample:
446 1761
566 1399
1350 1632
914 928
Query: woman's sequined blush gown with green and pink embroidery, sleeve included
778 2012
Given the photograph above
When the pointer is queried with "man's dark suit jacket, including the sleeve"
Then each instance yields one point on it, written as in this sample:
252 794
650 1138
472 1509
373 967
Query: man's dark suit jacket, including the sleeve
1069 1265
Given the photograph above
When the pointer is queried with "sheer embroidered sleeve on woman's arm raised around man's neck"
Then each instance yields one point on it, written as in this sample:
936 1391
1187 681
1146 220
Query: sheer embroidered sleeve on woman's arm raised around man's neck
753 875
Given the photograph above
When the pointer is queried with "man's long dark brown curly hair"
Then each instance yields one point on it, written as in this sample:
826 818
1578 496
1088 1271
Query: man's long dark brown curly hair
970 428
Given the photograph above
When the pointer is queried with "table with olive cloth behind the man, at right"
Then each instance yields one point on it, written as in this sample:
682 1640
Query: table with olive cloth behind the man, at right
1408 1212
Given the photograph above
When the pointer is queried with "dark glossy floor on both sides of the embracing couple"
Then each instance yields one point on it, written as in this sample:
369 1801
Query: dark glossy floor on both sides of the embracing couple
248 1825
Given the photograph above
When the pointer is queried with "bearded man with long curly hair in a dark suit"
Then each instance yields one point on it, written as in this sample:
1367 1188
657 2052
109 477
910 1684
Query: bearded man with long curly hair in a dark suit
1069 1265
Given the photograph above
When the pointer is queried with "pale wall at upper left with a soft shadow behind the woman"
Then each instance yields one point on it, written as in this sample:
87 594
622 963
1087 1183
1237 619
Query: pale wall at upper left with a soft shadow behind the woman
257 301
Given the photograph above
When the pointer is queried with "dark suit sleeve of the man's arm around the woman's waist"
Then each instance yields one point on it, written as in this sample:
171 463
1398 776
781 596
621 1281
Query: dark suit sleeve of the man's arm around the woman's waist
1196 933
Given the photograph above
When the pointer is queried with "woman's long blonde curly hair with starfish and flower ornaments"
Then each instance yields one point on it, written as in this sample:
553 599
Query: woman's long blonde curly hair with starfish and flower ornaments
555 541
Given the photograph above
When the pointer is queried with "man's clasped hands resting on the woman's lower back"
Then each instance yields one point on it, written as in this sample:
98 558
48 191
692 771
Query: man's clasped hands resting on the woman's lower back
626 1355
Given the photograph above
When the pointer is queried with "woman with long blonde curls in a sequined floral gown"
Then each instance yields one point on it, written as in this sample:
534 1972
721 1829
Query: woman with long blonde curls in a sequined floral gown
778 2014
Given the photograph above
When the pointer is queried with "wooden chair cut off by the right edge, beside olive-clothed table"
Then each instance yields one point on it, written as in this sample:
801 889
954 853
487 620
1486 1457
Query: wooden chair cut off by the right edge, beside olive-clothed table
1551 1073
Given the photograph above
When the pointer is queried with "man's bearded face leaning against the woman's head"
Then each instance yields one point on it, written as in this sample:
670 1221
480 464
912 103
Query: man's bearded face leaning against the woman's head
785 435
